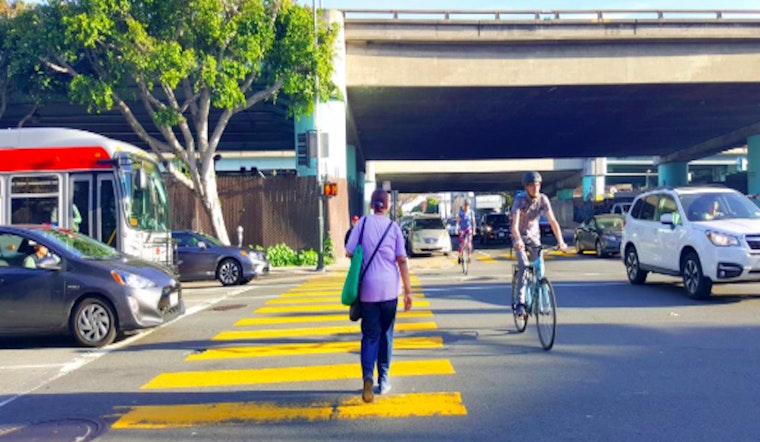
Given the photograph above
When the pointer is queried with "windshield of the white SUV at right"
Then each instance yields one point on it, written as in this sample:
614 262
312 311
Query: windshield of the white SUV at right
719 205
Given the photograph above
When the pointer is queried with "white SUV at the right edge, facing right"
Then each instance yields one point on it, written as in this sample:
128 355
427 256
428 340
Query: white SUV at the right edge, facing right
705 235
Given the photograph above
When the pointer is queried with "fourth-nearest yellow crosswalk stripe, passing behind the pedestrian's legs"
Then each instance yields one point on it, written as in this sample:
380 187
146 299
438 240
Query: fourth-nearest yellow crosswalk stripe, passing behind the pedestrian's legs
313 331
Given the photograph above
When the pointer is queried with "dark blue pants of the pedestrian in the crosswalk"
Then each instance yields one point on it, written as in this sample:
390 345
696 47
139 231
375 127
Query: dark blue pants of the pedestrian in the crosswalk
378 319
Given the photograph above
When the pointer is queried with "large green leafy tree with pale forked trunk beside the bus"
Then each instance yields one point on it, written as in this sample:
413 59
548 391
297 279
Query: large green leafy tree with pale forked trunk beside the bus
180 59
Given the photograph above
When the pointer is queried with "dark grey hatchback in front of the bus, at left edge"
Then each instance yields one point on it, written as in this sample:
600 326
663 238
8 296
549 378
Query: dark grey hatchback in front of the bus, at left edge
79 286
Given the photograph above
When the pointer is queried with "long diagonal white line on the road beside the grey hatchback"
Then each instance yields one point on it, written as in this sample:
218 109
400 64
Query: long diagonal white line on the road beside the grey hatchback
95 354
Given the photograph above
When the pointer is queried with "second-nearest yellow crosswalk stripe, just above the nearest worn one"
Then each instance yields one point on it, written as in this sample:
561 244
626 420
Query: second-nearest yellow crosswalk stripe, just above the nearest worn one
231 378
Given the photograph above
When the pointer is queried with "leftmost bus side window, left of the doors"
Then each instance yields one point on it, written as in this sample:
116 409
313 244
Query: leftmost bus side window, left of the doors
33 198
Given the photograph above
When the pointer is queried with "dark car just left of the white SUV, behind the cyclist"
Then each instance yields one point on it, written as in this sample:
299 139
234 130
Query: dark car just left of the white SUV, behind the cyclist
601 233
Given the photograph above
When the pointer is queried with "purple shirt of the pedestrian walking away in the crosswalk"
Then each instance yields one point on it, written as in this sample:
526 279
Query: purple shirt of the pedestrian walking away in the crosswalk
382 280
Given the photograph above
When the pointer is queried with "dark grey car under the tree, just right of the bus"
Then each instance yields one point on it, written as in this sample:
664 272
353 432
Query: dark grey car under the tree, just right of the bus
203 257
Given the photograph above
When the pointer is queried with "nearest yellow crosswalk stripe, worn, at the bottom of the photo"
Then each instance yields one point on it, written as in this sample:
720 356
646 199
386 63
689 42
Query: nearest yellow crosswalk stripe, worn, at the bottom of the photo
245 413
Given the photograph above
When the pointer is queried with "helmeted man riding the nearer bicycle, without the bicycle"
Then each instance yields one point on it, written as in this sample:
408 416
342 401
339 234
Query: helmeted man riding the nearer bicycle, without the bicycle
526 236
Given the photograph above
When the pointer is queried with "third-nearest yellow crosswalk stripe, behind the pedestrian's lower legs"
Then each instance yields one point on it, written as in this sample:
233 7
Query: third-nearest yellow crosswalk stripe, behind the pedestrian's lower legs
267 350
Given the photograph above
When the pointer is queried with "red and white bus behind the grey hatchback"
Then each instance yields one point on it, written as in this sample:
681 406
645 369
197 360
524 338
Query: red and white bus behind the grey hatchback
104 188
